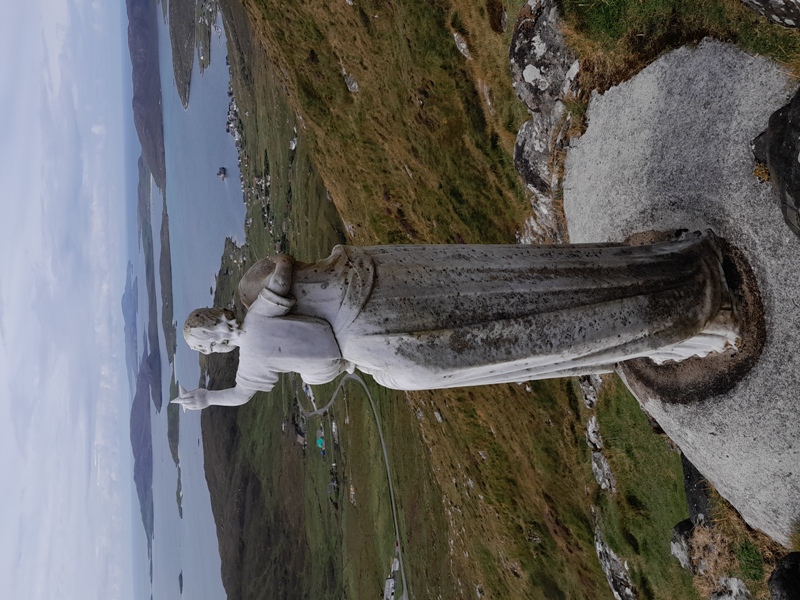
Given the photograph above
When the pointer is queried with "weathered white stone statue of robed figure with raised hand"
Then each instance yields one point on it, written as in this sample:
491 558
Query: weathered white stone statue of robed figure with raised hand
424 317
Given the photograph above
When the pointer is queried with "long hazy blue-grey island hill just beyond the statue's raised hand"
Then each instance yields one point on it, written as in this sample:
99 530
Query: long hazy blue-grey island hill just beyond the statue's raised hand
142 446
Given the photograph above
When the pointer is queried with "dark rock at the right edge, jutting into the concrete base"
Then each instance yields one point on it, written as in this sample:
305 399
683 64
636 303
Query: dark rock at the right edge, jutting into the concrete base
778 147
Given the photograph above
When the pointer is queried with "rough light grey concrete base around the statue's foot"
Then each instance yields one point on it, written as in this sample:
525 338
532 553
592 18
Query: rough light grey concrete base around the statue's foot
670 150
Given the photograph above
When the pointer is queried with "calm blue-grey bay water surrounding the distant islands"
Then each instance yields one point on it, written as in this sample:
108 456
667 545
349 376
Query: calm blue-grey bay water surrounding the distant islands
203 211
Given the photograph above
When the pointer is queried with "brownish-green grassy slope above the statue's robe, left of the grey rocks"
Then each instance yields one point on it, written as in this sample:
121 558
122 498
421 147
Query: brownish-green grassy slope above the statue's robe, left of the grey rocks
417 154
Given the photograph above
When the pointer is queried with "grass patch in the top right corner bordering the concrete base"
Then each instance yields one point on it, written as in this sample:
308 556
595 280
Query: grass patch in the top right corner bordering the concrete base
616 38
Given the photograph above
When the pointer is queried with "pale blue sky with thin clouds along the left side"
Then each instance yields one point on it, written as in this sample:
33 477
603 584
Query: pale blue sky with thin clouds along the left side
65 459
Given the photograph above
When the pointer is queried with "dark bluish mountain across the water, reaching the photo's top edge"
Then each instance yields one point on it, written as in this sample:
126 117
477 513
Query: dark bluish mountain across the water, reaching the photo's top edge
147 107
